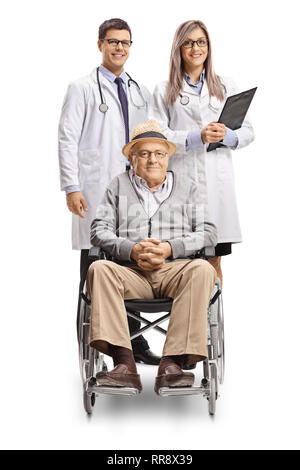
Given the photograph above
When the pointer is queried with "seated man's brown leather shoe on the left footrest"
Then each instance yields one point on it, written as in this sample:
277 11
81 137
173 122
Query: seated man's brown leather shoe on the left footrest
120 376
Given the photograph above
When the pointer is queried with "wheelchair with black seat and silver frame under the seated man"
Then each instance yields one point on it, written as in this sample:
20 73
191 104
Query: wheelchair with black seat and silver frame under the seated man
91 361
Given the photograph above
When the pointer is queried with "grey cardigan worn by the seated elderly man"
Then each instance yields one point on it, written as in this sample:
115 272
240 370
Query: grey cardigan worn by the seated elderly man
181 220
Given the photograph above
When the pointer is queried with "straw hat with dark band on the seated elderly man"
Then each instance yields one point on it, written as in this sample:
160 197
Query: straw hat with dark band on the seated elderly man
146 131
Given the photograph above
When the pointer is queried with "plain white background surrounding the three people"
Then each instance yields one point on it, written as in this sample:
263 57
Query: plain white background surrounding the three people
44 46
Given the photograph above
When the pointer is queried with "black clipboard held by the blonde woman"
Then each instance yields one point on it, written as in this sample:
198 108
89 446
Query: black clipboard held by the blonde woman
234 112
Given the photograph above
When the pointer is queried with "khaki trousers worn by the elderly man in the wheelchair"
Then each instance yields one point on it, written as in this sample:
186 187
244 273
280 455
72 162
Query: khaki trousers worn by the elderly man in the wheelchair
188 282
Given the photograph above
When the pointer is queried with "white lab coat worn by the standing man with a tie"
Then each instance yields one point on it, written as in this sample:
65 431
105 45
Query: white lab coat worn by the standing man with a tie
90 143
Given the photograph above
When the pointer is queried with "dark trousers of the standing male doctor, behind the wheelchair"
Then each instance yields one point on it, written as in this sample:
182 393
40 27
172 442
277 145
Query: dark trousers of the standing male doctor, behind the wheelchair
138 343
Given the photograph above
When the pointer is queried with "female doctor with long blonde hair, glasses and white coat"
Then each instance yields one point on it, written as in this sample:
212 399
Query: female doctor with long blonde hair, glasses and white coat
187 108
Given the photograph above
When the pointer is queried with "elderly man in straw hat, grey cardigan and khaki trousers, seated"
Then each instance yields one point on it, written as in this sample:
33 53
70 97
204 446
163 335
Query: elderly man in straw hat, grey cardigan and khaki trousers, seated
151 224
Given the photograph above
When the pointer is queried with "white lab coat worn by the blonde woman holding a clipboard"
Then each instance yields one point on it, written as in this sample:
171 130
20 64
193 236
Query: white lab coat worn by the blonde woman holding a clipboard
213 171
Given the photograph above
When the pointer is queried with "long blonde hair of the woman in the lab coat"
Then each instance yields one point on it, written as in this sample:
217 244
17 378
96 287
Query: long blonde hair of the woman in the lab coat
176 69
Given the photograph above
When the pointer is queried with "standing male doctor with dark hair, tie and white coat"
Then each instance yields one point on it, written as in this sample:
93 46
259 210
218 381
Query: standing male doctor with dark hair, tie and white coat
99 113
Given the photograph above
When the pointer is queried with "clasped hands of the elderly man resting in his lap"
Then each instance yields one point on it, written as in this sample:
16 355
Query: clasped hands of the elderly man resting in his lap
150 253
